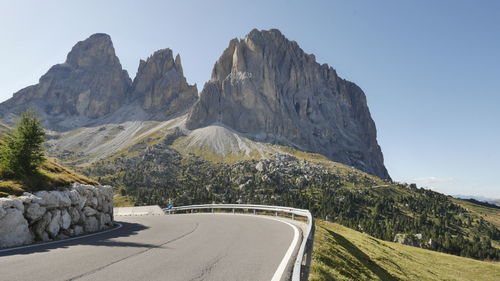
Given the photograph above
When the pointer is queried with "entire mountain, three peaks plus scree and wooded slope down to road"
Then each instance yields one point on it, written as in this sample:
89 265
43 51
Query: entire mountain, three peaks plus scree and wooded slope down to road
264 130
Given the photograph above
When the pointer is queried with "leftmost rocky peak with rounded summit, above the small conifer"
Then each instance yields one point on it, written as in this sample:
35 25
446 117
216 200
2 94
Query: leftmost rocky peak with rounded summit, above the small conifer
90 84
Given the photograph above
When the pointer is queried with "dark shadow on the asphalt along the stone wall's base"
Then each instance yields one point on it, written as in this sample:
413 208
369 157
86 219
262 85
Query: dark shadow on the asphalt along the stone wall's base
105 239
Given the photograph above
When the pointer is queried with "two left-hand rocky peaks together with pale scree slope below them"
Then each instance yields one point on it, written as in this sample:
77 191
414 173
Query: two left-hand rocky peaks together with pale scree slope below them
93 109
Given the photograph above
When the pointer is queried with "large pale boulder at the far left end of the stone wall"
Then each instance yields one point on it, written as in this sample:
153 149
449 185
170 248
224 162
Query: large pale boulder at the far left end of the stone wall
14 229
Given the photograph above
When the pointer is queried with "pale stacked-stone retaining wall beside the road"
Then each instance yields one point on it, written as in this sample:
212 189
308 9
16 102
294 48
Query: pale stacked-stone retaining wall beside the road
48 215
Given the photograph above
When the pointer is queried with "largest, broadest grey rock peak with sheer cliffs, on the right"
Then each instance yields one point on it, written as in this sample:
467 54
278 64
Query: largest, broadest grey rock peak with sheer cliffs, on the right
266 87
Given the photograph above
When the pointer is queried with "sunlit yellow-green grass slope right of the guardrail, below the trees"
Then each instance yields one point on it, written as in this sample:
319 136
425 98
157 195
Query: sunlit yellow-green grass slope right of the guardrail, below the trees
341 253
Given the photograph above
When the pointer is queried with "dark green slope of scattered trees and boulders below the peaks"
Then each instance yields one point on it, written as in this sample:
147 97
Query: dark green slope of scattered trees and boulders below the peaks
155 174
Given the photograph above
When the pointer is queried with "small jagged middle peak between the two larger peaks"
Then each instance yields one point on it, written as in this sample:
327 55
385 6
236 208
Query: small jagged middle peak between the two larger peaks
160 84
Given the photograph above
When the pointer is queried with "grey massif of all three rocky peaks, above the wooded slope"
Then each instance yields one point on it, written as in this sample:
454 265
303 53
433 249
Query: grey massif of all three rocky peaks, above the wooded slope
263 88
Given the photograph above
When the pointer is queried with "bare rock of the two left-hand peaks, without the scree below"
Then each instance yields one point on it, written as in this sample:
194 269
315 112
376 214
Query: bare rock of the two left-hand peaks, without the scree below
91 89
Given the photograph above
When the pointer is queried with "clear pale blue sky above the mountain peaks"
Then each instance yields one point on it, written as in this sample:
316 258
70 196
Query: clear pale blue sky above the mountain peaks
430 69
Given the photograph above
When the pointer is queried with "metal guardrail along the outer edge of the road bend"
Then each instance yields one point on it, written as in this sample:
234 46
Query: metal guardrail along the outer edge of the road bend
301 265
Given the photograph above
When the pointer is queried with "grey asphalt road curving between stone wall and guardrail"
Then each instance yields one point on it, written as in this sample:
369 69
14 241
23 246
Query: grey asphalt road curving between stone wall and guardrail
176 247
